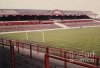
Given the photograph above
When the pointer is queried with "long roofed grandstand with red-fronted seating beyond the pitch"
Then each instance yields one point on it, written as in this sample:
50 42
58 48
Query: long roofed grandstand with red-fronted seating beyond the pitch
34 19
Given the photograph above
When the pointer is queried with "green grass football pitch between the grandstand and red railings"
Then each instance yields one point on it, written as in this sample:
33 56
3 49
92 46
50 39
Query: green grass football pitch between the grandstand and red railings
87 39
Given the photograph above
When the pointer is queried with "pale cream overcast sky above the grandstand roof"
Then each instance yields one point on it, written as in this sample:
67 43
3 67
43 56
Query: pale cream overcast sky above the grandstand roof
88 5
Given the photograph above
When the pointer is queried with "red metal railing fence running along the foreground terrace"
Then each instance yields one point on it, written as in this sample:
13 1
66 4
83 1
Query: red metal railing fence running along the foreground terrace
50 52
